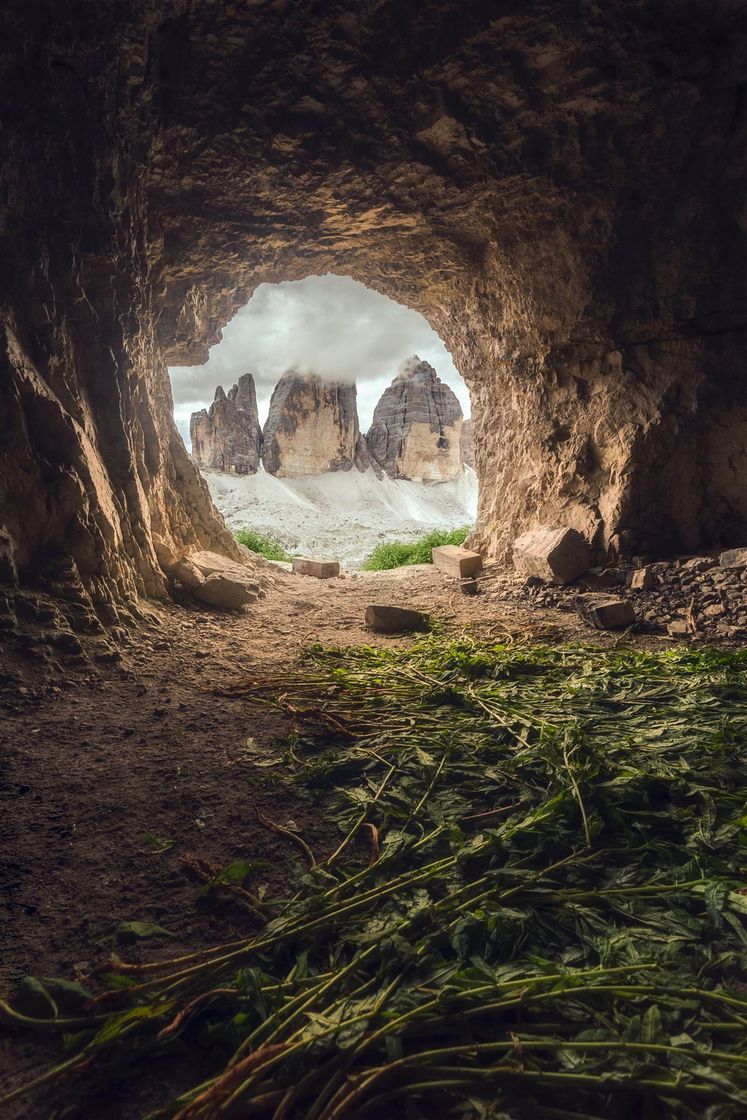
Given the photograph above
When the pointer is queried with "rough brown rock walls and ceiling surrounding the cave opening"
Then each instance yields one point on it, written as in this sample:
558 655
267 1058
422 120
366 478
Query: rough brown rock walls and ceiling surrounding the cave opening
557 186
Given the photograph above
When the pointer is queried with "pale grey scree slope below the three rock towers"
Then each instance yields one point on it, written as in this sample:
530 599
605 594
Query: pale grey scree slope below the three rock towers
342 516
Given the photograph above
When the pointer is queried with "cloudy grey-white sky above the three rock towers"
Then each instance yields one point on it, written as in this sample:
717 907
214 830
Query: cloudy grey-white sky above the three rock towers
329 325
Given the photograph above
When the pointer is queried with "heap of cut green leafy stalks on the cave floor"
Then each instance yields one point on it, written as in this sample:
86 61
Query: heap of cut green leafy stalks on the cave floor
538 906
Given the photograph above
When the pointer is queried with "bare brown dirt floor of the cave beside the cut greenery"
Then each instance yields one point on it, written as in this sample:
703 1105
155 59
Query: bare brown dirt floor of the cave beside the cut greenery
110 773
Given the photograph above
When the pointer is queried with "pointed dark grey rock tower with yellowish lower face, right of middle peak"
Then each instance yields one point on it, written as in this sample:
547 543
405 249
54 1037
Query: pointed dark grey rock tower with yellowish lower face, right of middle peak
417 427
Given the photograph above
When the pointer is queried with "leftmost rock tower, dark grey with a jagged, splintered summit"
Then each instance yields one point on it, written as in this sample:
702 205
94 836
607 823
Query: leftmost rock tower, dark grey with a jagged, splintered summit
228 437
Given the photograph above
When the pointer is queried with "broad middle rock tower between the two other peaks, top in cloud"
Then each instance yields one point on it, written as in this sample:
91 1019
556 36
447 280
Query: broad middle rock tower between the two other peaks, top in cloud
312 427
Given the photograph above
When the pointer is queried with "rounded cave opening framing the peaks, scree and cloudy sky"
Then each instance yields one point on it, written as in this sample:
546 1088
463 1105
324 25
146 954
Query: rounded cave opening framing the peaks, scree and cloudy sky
331 422
